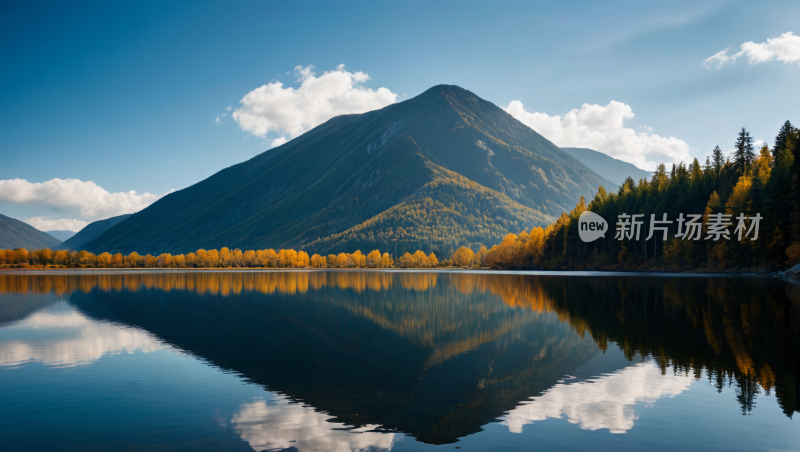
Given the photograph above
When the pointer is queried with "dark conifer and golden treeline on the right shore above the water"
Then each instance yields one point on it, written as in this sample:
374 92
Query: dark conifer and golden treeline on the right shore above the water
752 183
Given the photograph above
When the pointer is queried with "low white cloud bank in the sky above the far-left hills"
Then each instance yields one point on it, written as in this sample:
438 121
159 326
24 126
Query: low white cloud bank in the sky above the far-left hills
91 199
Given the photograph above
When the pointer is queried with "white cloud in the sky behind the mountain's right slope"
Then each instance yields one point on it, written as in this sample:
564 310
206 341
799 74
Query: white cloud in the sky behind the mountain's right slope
602 128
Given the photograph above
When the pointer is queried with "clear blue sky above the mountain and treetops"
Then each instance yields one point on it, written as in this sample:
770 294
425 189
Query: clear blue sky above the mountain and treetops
126 94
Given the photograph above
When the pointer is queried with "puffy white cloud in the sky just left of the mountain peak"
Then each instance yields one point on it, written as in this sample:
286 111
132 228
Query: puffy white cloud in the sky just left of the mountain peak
272 107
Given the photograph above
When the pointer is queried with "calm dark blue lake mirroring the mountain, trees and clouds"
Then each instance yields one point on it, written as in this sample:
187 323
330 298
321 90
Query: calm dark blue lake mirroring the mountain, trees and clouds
341 361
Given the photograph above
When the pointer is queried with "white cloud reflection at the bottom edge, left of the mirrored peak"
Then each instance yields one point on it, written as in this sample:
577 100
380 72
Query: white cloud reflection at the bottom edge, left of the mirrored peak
281 425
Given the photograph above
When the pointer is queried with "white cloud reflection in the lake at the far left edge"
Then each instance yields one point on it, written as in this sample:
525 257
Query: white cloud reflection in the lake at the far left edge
61 336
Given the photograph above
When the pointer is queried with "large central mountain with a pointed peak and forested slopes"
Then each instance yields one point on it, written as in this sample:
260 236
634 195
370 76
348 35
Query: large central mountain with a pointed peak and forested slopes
440 170
